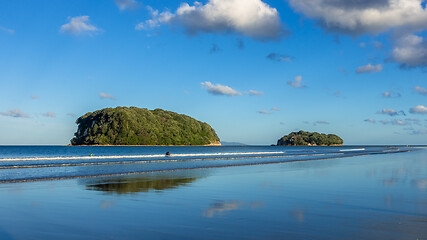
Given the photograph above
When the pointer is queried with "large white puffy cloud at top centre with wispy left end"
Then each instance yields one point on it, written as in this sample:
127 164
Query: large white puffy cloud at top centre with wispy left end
251 18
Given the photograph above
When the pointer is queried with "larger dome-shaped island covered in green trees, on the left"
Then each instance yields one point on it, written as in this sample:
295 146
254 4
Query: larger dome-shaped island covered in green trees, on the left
140 126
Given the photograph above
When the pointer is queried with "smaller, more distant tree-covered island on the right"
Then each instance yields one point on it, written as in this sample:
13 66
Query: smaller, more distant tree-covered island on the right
302 138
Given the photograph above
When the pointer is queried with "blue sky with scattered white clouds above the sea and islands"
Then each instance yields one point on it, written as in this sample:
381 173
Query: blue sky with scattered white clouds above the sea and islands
254 70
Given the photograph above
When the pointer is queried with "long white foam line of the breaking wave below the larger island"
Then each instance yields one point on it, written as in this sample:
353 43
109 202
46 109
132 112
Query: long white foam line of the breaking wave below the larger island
137 156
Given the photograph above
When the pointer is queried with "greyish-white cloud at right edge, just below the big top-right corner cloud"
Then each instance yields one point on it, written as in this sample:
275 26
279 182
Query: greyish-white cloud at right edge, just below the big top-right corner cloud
410 51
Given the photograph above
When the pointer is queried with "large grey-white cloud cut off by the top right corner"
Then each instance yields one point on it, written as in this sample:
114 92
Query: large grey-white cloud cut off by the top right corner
364 16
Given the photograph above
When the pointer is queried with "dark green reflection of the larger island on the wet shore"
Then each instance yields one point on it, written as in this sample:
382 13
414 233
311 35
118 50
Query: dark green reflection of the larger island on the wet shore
134 185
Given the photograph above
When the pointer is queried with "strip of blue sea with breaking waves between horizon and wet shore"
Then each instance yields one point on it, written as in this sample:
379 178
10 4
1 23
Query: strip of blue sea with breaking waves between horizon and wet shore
51 163
